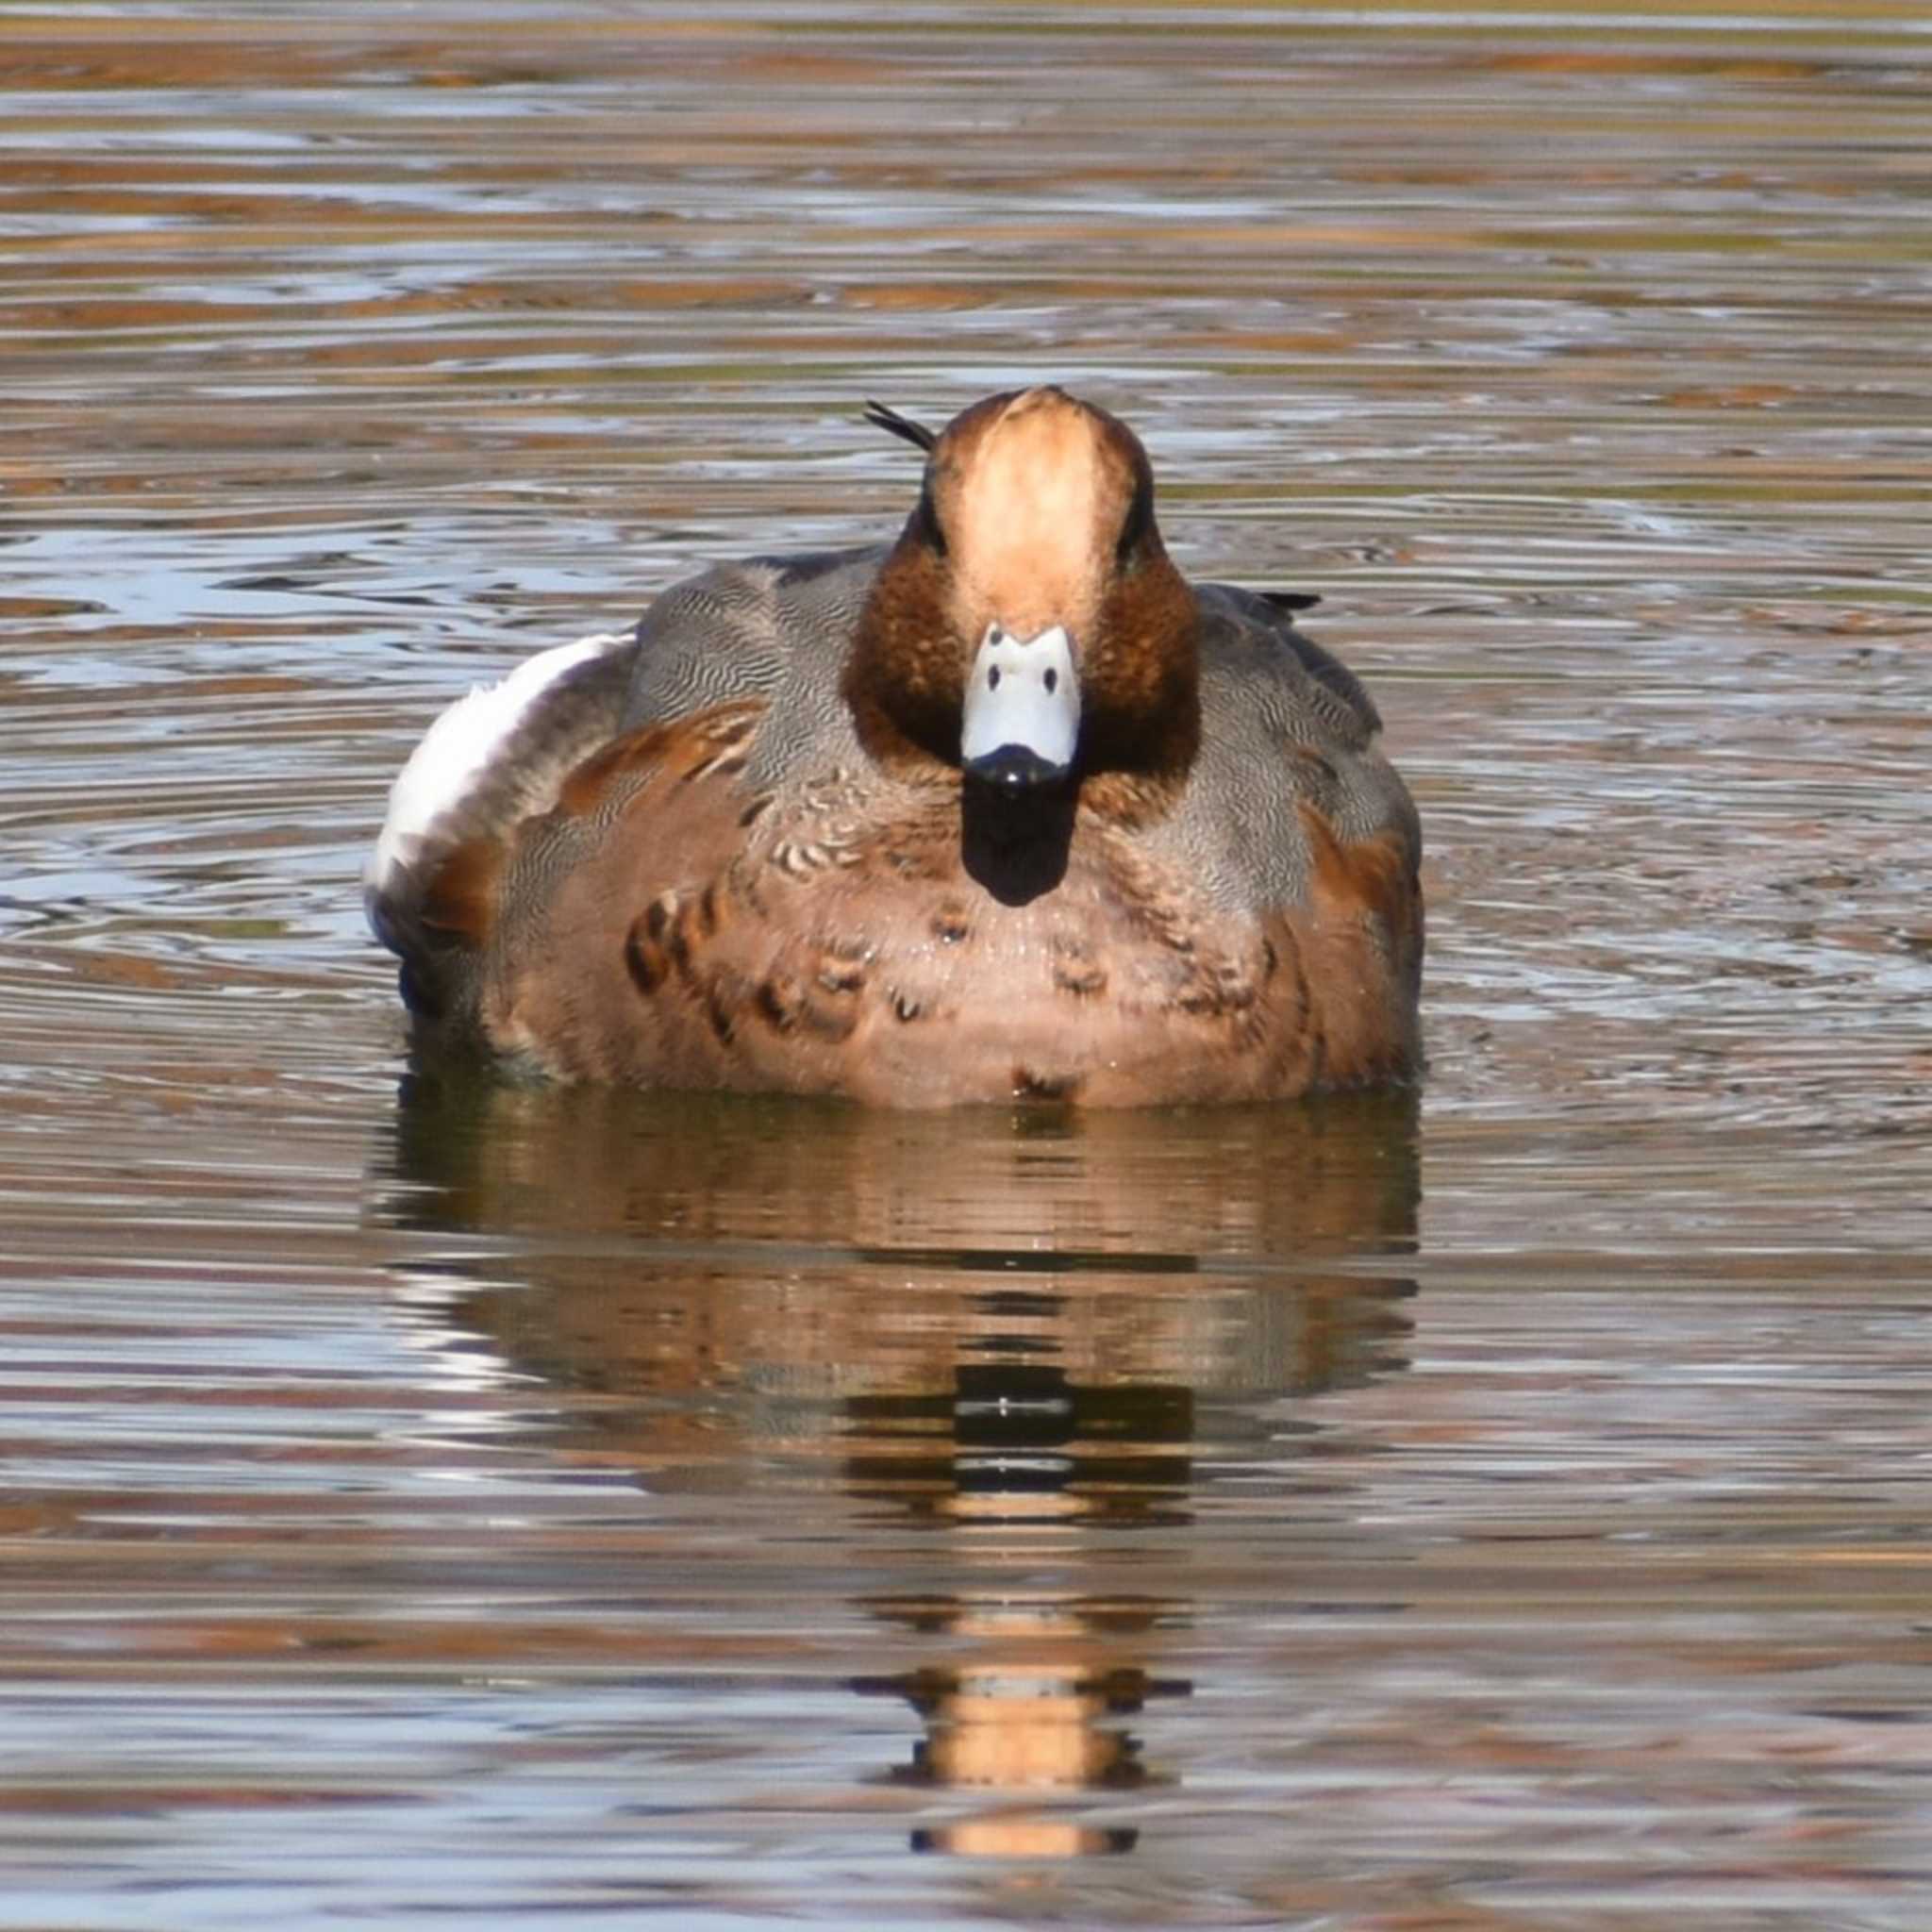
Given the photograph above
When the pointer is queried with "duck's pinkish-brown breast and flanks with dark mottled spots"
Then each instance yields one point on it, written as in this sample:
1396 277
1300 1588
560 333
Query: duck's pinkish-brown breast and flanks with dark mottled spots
834 940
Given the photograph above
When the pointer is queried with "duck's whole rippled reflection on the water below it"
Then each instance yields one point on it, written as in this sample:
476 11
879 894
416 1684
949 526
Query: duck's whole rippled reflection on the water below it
1040 1338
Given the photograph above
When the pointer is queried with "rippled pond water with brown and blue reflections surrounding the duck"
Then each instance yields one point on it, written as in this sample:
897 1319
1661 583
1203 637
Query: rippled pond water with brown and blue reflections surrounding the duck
1506 1506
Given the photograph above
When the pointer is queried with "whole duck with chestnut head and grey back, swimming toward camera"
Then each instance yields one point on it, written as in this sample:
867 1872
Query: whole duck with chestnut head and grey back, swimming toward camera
1000 810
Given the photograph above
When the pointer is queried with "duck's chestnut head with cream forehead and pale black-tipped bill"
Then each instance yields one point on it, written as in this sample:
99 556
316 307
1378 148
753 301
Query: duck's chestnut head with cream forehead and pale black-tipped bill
1029 627
